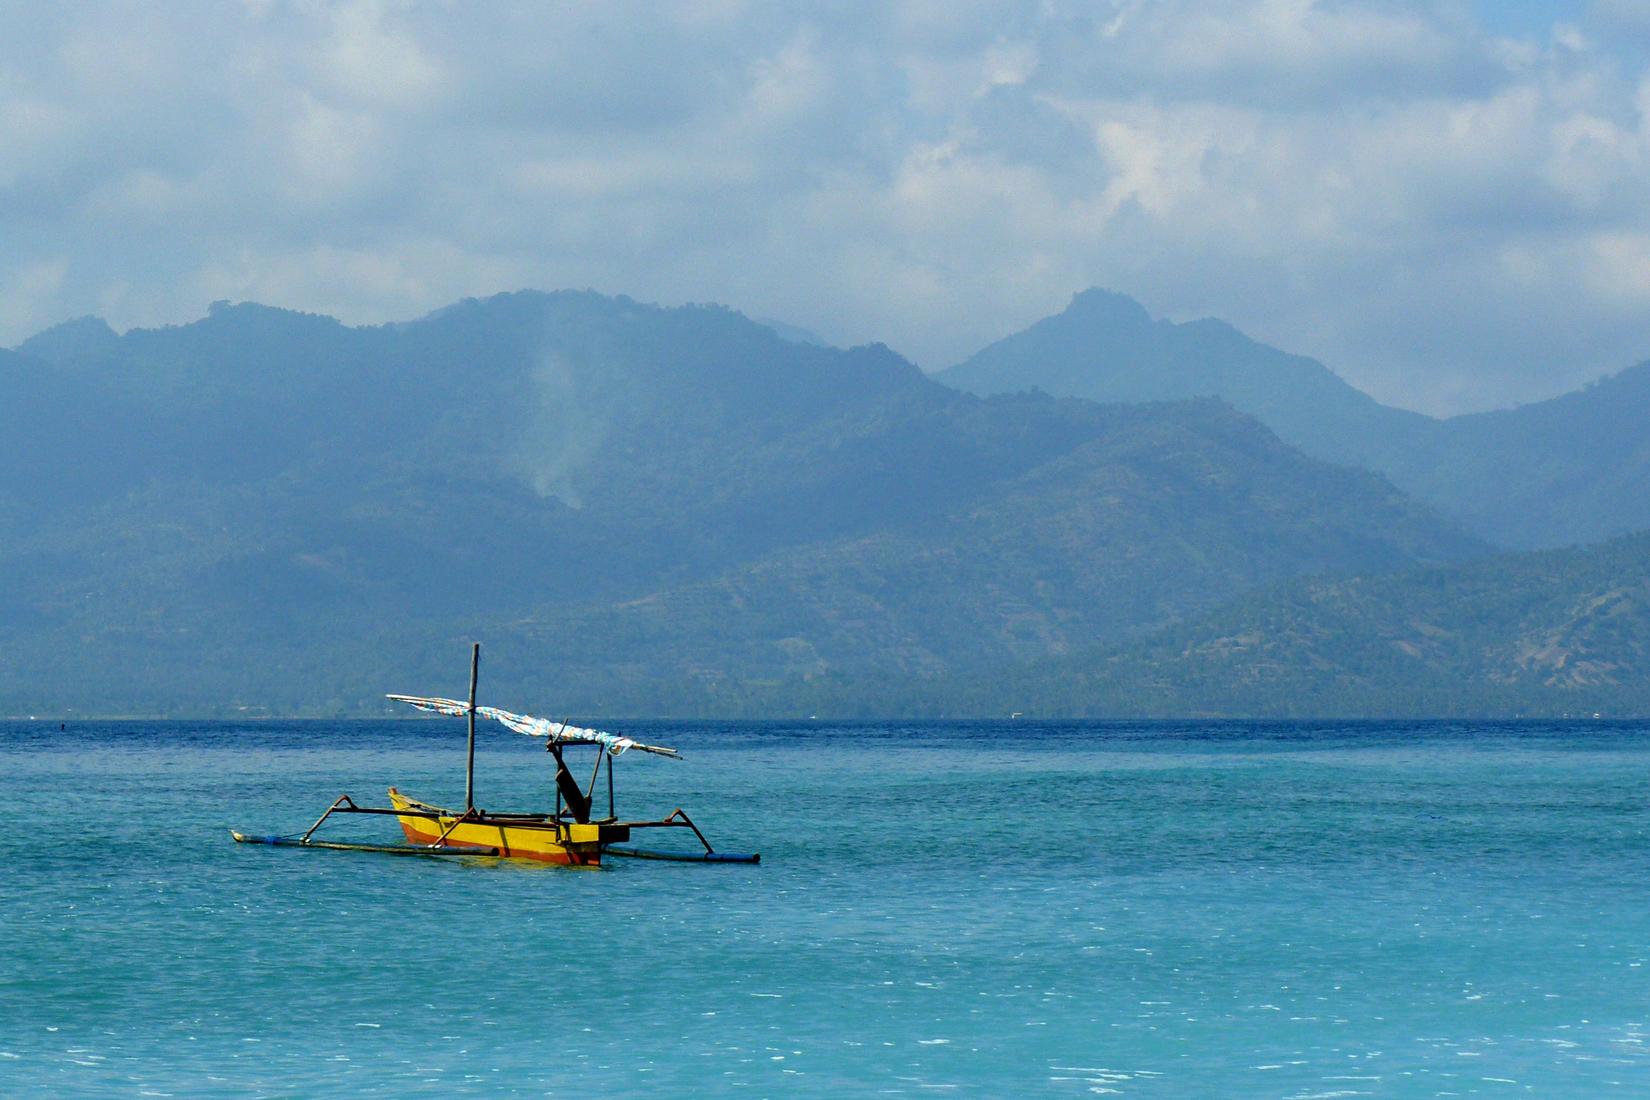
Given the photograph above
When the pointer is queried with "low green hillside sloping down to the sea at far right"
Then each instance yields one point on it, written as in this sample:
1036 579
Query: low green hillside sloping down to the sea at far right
1542 634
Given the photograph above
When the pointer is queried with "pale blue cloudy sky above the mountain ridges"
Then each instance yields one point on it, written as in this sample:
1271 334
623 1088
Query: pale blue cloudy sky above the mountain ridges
1446 202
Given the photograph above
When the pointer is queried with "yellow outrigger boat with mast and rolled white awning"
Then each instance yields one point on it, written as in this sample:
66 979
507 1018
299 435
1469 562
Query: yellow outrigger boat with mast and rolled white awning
568 835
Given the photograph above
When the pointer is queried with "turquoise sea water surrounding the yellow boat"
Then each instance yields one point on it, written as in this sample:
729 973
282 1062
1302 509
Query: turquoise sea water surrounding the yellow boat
986 910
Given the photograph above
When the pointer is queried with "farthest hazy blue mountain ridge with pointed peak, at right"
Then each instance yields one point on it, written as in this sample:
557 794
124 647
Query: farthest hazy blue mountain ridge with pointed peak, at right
1575 469
